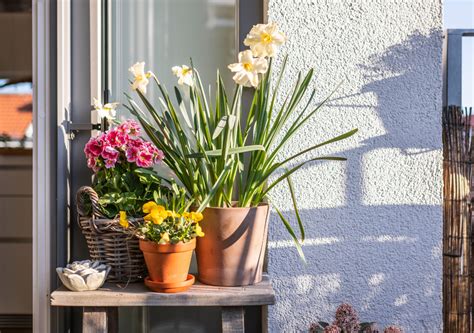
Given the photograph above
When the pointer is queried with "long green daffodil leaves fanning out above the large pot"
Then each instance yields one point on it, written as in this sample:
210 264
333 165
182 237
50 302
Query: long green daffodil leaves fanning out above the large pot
222 155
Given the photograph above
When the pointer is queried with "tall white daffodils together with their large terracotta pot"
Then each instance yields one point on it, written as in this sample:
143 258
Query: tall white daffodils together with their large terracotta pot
225 152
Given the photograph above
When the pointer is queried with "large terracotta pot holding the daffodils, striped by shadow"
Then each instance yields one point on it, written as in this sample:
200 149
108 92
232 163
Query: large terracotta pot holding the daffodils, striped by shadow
233 249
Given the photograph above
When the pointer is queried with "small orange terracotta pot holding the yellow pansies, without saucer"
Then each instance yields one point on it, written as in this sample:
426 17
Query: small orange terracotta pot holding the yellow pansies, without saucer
167 263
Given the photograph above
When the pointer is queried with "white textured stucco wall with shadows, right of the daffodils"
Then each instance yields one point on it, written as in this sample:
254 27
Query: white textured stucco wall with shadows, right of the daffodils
374 223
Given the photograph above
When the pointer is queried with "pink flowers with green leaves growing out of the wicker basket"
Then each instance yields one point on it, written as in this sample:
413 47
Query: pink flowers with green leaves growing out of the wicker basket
122 163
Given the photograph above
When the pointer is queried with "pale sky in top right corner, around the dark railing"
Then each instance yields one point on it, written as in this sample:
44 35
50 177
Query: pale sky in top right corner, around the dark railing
459 14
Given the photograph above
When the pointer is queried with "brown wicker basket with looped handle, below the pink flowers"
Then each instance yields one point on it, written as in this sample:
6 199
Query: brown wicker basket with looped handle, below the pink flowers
107 242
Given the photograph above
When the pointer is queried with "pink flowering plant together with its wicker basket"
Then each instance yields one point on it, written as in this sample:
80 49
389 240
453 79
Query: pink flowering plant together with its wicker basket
123 181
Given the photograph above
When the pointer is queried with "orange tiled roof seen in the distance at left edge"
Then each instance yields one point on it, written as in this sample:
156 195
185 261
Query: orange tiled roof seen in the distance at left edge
16 113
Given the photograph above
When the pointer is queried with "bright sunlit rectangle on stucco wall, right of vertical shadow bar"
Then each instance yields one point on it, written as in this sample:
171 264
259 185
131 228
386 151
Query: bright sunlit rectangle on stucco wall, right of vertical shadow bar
412 170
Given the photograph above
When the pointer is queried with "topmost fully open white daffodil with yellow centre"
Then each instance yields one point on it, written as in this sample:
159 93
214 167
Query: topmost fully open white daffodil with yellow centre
264 39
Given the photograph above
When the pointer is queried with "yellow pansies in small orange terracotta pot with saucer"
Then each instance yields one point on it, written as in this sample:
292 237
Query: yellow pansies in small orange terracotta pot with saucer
167 240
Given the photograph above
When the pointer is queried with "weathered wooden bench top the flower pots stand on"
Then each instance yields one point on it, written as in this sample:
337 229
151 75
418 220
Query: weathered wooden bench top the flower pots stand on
136 294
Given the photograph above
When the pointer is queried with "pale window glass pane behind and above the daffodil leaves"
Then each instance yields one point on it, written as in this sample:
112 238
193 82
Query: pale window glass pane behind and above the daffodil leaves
165 33
